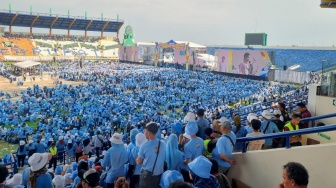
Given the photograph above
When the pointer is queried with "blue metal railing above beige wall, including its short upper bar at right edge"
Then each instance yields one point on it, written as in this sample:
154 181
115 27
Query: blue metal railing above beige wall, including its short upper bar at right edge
288 134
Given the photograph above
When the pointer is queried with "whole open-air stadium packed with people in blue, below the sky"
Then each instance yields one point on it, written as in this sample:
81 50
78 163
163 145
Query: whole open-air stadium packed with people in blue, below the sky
103 111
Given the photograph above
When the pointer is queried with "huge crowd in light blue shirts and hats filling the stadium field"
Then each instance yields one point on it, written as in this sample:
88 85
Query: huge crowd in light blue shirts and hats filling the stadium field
138 126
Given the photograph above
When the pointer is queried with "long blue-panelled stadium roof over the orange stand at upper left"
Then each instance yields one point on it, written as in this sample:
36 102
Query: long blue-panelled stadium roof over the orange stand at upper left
38 20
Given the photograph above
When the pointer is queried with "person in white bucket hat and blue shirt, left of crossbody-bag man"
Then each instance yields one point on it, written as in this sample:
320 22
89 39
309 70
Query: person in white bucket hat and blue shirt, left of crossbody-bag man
115 159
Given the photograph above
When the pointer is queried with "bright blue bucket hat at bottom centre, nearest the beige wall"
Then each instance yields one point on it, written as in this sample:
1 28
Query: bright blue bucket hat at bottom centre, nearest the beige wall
201 166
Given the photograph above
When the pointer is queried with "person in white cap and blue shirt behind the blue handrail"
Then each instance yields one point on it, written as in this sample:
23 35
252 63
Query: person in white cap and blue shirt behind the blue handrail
267 127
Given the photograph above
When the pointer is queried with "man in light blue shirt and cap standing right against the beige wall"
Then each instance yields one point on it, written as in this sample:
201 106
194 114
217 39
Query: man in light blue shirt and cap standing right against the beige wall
222 153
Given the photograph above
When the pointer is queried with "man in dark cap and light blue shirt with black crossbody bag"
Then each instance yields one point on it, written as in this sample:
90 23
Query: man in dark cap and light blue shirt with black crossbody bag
151 156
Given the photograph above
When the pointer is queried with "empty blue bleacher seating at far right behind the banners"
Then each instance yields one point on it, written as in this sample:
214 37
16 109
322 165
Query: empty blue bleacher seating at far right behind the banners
309 59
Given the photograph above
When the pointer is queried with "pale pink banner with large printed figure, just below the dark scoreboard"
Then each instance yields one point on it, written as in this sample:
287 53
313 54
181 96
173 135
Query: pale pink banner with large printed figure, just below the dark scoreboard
247 62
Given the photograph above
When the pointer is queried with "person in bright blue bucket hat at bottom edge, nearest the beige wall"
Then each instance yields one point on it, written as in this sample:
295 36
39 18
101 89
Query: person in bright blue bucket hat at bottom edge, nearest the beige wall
200 173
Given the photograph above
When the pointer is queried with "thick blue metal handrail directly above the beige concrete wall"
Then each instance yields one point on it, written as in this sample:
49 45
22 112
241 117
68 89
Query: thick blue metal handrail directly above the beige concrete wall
286 134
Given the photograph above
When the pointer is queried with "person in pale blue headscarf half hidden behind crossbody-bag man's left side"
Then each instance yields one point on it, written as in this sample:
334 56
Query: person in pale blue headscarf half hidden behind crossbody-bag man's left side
140 139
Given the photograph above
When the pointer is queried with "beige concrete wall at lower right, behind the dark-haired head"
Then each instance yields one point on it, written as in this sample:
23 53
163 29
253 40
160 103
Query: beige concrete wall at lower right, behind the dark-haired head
260 169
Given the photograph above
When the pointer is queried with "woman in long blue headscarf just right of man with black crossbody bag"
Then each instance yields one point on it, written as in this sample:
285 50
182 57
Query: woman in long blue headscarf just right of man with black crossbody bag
174 157
